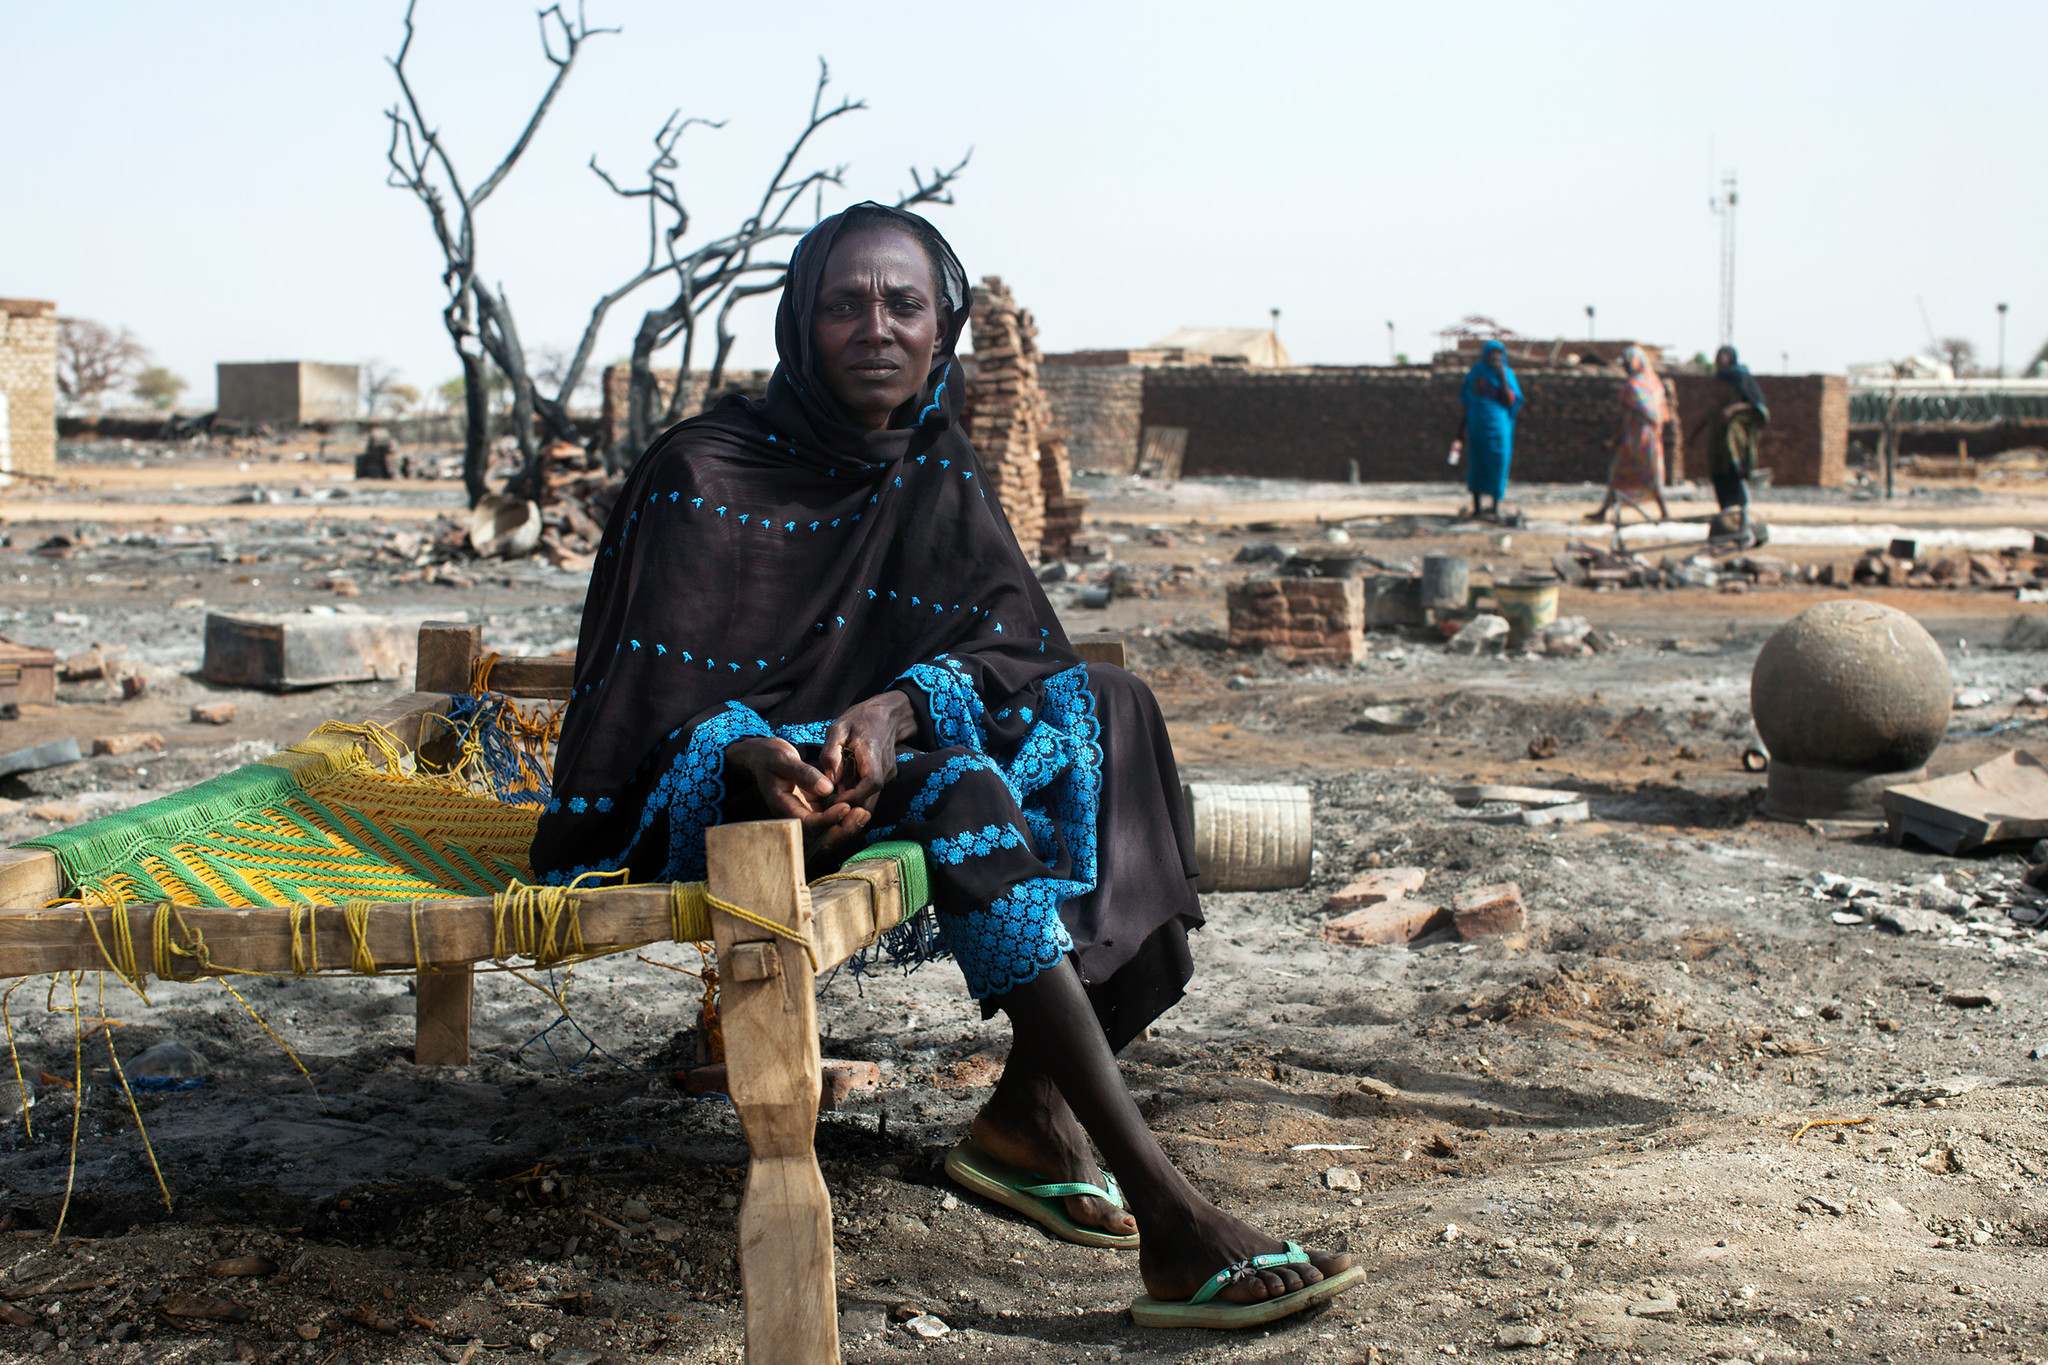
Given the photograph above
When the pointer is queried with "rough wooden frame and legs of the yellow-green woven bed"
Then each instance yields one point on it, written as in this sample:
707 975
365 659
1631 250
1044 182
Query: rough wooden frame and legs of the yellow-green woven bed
767 983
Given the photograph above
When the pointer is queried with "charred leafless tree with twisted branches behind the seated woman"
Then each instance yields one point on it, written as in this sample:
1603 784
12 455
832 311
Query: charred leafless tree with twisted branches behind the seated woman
716 275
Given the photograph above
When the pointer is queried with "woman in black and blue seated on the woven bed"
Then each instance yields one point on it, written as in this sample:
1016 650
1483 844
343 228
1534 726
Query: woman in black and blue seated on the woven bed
812 607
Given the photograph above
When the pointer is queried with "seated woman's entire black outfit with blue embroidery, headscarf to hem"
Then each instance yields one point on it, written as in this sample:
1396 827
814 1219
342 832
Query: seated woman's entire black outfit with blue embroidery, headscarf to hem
767 568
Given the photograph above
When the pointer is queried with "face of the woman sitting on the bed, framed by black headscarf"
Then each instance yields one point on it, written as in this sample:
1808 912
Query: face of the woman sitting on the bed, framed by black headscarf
878 322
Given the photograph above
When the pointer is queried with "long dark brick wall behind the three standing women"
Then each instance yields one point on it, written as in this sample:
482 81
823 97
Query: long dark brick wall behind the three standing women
1400 423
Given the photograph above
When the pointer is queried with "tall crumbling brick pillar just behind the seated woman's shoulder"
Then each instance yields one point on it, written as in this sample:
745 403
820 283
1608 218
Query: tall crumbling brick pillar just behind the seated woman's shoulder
1013 427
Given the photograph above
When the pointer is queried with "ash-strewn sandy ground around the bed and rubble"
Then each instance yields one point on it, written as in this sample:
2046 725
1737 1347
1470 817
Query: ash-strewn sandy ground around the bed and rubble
1584 1141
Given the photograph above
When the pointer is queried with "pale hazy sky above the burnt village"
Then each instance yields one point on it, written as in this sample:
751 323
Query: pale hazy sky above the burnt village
212 175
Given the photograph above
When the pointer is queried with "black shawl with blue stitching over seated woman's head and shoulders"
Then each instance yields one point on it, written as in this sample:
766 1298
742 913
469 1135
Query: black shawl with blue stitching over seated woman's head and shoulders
771 564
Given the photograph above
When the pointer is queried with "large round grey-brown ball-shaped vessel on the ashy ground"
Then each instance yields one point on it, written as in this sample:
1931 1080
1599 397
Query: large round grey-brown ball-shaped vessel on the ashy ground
1850 687
